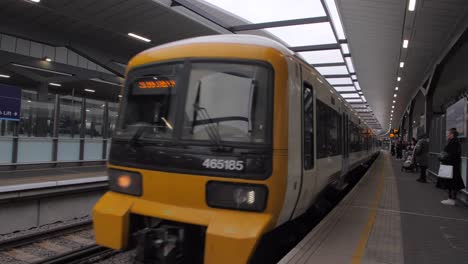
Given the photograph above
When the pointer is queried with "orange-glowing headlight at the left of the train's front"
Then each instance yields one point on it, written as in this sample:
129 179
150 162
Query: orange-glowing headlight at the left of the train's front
125 182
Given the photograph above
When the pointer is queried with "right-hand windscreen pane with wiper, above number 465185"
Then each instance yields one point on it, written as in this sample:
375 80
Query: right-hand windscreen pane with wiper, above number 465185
227 102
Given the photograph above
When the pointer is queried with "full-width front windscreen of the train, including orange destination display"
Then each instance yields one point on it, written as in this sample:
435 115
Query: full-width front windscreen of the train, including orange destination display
210 102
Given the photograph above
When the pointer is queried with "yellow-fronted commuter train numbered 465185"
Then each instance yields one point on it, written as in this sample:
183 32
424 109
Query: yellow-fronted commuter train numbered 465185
221 140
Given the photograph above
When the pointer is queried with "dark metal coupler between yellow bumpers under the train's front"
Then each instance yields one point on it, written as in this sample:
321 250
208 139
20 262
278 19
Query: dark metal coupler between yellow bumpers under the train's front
161 245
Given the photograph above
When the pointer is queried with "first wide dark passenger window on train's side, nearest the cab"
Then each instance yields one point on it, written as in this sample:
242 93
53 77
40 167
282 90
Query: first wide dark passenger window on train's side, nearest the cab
328 131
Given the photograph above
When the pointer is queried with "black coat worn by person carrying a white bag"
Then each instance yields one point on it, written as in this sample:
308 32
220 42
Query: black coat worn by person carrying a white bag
453 149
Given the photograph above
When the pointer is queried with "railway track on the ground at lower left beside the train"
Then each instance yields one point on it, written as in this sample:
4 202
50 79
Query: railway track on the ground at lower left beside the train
68 244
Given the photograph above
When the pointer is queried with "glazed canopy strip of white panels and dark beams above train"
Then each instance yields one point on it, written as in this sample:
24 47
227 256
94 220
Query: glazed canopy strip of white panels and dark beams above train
313 29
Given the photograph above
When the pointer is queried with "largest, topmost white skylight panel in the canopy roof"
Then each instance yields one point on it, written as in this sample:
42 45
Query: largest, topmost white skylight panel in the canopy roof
260 11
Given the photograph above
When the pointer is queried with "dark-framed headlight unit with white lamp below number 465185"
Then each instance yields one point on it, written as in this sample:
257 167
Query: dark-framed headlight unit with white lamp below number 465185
248 197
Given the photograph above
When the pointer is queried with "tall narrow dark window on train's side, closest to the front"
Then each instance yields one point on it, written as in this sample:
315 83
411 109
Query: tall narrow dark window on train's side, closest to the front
308 126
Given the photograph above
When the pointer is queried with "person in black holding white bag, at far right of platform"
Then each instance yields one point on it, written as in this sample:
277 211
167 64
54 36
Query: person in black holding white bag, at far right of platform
453 158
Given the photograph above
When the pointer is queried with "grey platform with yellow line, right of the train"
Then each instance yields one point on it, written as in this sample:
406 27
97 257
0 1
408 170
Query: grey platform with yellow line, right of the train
388 217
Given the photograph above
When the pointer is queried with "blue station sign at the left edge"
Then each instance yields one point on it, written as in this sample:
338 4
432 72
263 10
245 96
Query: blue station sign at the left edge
10 102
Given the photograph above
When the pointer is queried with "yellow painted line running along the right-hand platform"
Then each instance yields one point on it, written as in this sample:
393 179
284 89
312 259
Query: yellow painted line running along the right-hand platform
361 247
